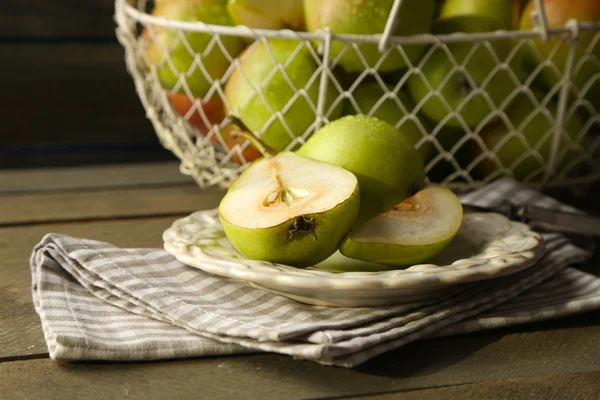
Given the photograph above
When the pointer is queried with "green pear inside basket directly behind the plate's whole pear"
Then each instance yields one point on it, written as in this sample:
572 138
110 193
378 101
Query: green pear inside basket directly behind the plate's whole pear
369 98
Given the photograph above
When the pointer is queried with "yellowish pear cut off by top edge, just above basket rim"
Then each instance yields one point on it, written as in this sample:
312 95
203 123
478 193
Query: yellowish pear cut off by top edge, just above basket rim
267 14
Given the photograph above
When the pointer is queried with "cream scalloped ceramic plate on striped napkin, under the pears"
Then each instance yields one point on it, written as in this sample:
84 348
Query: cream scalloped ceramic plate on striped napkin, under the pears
487 246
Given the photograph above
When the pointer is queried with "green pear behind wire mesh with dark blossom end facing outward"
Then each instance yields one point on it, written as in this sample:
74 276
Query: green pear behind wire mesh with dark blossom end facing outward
464 91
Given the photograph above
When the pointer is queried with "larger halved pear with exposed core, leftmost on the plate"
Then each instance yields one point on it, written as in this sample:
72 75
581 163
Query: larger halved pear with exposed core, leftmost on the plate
290 209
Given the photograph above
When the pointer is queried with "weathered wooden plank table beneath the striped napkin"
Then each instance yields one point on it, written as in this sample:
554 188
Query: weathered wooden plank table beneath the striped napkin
131 205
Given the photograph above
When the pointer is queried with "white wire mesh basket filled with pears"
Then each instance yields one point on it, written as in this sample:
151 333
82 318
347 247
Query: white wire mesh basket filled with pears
545 137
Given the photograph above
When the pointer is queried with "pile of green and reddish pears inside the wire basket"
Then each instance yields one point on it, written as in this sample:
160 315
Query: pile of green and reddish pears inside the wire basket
491 104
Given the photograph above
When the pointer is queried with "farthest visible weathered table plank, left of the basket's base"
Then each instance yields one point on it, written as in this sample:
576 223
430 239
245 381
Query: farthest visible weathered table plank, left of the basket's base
91 177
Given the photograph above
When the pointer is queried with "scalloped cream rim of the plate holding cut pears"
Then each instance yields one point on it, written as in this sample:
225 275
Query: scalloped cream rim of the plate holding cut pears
265 273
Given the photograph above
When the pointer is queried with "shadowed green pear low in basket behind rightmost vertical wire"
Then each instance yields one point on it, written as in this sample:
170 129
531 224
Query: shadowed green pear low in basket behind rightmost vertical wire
524 146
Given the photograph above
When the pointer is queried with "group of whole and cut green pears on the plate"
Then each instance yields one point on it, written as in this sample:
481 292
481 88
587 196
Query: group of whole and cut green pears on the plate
299 208
